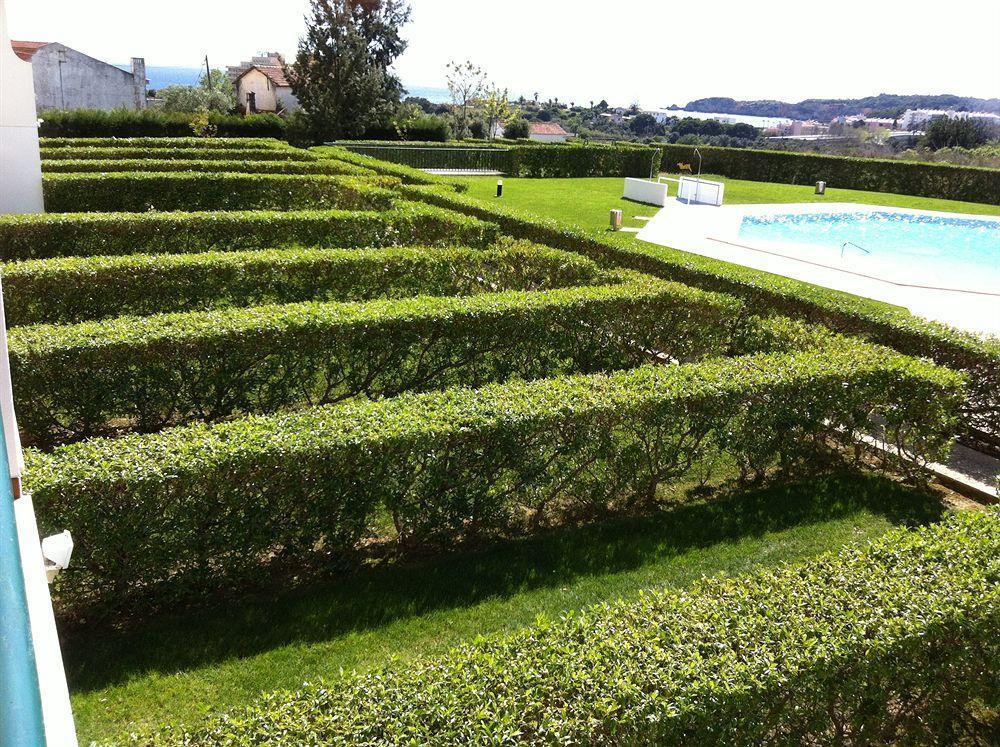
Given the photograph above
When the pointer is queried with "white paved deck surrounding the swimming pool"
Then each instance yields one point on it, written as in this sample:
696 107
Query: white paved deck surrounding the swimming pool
714 232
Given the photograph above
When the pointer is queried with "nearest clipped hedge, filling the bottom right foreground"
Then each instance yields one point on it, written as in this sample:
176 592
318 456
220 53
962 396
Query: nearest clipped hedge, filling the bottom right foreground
890 643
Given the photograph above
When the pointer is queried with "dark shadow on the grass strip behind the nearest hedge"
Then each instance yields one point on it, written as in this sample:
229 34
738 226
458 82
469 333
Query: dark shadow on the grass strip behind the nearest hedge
372 598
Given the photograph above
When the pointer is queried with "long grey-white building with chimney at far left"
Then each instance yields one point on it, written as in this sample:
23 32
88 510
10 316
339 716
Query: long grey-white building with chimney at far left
67 79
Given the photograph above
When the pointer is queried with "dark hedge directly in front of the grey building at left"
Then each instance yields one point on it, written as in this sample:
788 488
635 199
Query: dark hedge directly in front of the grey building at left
152 123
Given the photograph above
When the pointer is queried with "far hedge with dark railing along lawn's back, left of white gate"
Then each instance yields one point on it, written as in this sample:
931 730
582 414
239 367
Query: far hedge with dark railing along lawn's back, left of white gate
550 160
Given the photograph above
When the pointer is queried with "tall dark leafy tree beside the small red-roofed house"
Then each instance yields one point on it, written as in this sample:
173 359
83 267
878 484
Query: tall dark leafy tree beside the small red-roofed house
341 73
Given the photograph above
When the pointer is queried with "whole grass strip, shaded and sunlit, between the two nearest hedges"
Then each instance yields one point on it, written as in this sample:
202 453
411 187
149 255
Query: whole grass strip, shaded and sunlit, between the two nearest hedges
176 669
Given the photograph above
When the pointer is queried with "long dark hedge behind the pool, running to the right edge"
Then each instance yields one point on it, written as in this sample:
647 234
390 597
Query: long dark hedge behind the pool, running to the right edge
943 181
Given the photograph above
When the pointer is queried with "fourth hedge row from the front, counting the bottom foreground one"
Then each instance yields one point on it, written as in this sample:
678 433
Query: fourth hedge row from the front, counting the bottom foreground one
77 289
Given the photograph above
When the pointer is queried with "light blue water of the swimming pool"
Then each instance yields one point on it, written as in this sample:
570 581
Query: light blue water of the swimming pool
954 251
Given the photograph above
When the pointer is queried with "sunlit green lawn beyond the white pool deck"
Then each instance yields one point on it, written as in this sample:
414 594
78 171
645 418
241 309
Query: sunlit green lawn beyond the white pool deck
586 202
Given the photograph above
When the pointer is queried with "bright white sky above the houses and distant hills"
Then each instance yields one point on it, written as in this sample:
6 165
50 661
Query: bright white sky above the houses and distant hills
654 52
